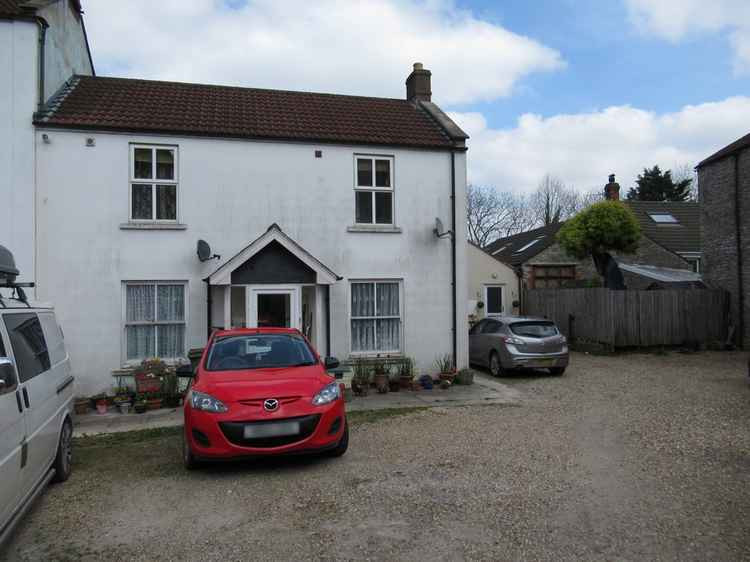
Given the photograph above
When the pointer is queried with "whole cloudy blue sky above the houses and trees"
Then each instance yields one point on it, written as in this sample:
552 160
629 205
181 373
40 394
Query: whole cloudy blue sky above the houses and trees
574 88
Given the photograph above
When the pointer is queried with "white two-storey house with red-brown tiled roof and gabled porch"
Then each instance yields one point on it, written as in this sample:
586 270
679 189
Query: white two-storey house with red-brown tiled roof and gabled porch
314 211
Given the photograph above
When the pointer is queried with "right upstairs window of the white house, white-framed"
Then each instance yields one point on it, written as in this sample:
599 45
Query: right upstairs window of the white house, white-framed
373 190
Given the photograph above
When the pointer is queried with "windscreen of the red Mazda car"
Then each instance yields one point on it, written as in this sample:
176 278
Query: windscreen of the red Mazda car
259 351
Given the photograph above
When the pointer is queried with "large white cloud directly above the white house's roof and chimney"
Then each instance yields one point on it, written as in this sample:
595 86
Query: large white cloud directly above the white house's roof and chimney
362 47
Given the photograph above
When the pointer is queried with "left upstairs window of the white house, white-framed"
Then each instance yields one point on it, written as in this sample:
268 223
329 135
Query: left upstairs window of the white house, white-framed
153 183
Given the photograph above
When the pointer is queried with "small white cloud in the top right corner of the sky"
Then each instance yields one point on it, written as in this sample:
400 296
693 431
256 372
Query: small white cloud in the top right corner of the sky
676 19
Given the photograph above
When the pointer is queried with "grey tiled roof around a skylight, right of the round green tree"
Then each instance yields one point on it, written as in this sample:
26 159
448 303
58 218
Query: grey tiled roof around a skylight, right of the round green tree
682 236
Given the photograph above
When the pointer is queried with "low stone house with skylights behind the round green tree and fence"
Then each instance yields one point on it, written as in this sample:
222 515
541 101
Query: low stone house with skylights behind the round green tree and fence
670 239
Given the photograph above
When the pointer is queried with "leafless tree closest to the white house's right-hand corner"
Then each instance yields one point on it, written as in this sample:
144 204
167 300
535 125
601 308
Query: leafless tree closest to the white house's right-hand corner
491 214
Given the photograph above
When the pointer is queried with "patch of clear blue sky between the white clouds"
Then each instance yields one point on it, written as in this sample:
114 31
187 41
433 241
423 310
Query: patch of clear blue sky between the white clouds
609 61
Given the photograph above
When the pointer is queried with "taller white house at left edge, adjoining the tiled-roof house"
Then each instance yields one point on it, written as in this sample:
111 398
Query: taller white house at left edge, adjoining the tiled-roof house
42 43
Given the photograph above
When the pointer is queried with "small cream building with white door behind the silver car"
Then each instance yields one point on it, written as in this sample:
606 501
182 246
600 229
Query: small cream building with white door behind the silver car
493 285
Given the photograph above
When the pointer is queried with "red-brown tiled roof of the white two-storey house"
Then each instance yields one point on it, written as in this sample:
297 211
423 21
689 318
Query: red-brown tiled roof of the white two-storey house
197 109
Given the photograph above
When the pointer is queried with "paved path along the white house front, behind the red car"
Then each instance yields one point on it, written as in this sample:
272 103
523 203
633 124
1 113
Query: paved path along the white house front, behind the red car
484 391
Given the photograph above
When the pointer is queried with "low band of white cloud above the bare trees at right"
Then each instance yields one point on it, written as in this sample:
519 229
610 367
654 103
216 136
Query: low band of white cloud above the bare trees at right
583 149
